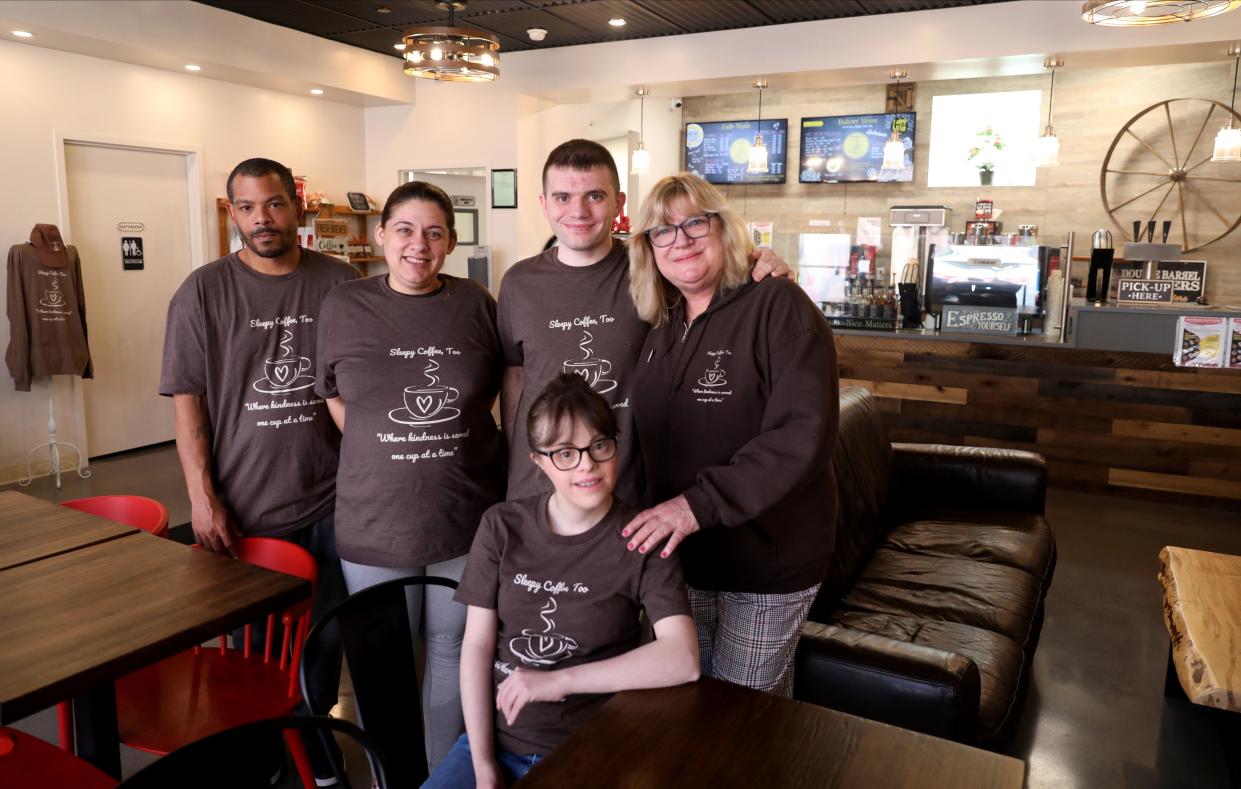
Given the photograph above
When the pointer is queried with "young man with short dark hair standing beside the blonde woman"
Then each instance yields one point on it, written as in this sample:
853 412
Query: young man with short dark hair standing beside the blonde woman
568 310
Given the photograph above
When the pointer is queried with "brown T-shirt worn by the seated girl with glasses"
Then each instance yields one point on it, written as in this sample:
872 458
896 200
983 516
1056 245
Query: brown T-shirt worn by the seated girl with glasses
562 602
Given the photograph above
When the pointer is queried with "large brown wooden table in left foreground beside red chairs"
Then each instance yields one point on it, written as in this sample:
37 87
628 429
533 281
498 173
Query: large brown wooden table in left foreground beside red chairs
78 618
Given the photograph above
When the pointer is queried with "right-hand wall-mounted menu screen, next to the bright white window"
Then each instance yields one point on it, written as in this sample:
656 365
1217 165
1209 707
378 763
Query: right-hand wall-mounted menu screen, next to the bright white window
851 148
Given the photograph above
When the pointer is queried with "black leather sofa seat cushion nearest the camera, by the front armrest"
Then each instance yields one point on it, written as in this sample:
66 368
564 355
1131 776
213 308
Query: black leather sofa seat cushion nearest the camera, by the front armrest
1000 659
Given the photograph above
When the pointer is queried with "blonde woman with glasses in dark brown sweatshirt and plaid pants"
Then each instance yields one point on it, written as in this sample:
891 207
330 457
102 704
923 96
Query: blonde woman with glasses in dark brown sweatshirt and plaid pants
737 408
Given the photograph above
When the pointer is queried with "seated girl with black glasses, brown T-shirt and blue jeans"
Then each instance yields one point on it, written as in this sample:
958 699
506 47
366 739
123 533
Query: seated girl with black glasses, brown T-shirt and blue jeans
554 601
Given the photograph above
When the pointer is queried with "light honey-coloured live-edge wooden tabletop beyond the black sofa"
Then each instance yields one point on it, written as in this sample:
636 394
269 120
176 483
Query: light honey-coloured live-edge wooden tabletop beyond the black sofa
1203 613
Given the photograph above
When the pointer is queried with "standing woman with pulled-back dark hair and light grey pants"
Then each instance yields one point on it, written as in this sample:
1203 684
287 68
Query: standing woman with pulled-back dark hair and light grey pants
414 358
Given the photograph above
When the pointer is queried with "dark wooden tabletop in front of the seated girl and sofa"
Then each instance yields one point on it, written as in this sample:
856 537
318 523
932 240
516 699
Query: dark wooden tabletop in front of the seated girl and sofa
712 734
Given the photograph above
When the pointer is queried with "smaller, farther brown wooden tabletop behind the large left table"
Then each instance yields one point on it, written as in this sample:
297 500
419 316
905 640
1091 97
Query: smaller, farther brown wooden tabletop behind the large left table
33 529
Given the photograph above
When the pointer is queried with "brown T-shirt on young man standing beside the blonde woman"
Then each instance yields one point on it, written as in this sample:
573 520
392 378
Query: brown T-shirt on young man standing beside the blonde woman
557 318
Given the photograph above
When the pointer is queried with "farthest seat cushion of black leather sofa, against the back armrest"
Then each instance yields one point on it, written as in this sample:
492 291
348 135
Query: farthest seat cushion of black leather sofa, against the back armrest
1018 540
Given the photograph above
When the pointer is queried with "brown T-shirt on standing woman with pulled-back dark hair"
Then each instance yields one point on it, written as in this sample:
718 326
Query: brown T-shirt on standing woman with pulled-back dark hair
421 458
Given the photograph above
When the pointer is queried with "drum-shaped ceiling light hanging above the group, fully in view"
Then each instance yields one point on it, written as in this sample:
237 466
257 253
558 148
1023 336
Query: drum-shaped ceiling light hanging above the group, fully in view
452 54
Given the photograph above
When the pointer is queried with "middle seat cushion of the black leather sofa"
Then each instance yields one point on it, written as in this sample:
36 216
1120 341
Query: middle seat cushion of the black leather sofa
992 597
